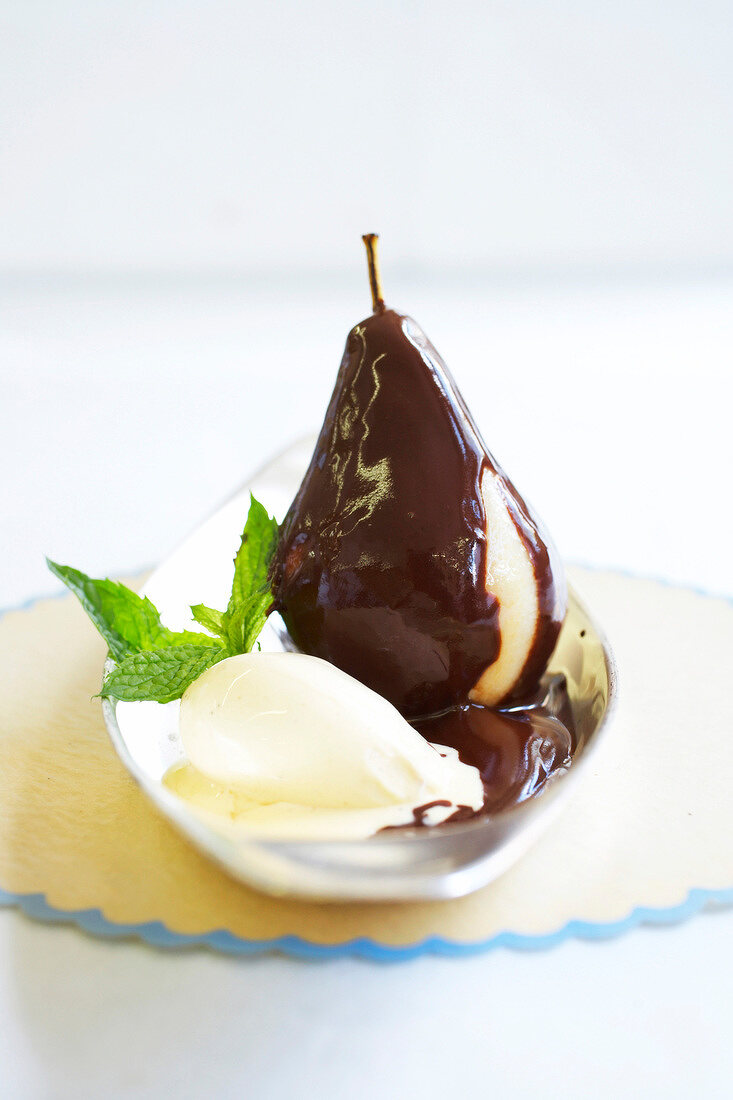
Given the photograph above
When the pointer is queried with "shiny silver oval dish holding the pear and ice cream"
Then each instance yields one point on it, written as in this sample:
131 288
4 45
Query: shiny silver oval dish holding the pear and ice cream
400 865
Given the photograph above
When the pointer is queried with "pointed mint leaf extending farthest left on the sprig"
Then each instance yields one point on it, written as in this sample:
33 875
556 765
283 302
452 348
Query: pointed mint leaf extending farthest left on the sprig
128 623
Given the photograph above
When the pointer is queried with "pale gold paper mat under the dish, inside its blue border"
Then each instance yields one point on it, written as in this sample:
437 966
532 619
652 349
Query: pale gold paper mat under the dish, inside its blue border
652 821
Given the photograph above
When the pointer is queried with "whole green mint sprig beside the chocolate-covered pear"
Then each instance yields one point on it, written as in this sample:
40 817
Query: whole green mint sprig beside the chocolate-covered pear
157 664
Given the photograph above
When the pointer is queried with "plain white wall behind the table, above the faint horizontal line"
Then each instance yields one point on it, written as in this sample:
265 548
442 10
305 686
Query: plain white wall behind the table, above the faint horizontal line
165 135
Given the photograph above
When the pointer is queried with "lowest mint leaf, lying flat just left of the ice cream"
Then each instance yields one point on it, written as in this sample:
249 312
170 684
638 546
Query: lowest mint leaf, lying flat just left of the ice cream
162 675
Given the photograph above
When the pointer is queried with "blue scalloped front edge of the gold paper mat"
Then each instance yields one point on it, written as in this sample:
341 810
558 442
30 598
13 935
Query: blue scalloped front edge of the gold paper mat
158 936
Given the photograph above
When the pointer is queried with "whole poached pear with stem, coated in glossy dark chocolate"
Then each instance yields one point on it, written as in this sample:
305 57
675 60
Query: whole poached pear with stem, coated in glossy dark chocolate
408 558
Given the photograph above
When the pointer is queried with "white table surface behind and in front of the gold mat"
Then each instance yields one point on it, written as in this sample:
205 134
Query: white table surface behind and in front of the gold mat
130 409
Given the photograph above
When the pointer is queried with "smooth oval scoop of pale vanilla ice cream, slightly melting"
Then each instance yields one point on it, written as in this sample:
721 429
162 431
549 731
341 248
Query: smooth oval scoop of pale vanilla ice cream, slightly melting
291 729
